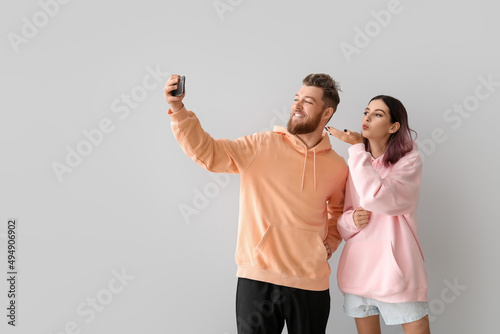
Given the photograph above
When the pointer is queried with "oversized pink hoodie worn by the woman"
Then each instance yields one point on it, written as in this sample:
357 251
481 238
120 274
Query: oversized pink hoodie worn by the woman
384 260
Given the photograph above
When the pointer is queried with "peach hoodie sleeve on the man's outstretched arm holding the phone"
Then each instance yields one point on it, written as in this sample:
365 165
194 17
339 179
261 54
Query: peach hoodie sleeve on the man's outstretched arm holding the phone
215 155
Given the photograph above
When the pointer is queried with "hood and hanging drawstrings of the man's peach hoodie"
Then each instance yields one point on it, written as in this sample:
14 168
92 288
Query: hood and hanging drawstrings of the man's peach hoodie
323 146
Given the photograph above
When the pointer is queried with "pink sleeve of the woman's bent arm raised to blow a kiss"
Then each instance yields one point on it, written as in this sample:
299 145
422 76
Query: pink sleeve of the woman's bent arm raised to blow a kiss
394 195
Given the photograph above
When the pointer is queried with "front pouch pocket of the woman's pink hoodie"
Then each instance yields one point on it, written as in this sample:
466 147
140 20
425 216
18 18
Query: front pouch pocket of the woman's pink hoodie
370 265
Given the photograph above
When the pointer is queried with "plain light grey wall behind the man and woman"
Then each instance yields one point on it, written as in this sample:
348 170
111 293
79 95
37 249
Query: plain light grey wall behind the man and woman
119 210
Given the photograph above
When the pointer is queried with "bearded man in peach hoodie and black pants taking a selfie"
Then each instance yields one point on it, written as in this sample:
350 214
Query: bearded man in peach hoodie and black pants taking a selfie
292 192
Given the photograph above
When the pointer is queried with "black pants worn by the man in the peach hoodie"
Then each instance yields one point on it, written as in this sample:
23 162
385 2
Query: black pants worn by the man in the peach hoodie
263 308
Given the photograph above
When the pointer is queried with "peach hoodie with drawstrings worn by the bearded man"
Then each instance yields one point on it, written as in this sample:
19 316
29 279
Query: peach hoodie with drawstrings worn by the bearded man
290 200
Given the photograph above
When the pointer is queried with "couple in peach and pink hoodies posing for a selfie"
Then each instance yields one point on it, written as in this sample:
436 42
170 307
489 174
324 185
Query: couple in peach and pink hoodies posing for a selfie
299 199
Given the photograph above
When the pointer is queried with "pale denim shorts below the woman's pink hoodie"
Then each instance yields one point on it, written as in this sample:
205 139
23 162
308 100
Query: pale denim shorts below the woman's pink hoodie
393 313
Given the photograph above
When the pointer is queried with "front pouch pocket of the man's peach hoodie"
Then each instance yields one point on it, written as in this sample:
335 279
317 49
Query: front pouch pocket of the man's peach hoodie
293 252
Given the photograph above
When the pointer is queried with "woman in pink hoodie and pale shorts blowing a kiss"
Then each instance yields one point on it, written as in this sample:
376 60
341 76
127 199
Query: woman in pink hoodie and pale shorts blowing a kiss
381 269
